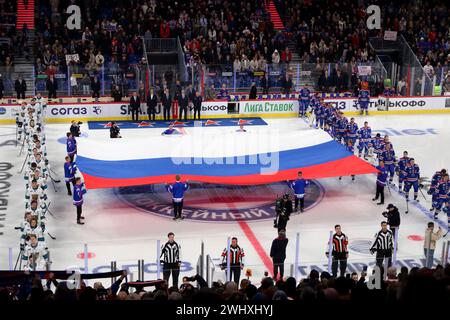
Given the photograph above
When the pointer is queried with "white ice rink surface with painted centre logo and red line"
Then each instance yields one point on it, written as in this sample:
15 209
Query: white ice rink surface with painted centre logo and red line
124 224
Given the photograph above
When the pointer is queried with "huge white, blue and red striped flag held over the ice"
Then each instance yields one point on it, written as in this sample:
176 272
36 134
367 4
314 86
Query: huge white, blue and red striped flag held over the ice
239 158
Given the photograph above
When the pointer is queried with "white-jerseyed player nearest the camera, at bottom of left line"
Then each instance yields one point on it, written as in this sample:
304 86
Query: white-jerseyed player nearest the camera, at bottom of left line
35 255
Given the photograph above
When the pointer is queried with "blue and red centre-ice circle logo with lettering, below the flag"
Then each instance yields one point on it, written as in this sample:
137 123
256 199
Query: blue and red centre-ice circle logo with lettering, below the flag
217 203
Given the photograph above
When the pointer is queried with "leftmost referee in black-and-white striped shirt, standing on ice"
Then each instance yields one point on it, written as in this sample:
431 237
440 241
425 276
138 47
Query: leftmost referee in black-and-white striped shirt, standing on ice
171 259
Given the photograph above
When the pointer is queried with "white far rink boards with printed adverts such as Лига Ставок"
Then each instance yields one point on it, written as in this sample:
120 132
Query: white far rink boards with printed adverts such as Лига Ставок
64 112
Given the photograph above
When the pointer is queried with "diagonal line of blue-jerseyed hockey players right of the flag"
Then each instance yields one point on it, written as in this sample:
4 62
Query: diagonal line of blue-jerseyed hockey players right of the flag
378 150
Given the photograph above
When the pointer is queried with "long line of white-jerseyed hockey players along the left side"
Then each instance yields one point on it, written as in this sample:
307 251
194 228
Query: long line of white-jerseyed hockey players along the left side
30 131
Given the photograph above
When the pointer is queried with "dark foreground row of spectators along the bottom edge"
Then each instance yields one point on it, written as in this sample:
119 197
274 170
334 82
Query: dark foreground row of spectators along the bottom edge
408 286
